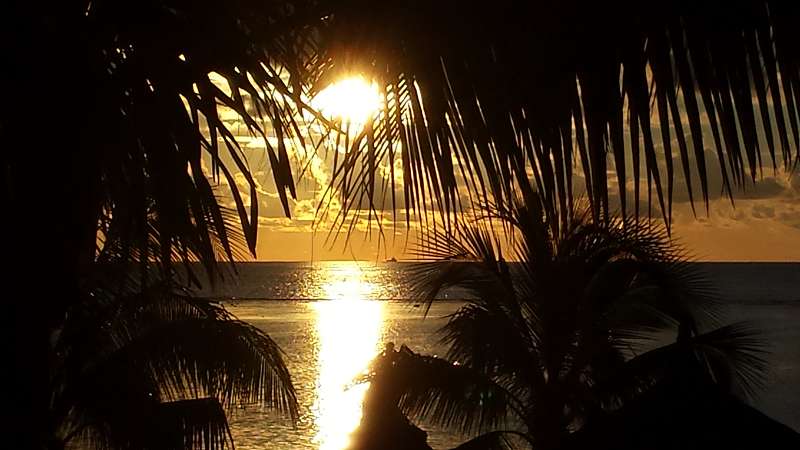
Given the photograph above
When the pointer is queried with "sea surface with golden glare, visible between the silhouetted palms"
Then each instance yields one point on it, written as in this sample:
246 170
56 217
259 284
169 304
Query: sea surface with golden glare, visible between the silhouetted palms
332 318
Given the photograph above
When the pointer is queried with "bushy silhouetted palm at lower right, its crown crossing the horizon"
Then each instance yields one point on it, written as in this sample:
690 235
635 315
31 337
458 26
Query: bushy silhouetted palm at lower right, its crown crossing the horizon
593 318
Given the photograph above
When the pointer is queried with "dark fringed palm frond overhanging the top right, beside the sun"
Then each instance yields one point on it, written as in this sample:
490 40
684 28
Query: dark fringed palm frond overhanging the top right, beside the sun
616 100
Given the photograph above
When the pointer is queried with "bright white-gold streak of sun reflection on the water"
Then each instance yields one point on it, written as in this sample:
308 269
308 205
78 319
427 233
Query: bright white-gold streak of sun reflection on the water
349 332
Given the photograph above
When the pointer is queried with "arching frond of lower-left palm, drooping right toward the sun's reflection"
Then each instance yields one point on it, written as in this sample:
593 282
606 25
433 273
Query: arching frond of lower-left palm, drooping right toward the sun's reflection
227 359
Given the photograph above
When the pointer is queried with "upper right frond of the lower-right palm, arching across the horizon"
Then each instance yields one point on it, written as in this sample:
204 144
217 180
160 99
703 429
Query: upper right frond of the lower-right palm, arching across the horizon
639 265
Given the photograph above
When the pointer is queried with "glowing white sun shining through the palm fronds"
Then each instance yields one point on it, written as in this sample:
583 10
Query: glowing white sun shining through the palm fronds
354 100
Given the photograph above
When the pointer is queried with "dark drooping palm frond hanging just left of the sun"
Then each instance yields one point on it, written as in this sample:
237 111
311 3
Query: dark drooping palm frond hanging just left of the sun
169 111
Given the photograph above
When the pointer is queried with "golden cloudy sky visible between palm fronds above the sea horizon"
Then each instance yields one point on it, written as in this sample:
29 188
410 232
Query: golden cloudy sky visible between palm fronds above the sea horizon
763 224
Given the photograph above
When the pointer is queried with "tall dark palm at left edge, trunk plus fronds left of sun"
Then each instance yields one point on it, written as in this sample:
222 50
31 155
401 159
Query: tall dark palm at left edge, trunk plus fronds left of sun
116 145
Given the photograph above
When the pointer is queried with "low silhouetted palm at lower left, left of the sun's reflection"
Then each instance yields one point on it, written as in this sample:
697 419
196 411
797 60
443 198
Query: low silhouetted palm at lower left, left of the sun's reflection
153 367
